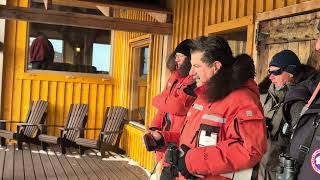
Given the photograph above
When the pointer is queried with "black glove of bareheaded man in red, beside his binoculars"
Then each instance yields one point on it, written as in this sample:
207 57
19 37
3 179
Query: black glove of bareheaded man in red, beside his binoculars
182 162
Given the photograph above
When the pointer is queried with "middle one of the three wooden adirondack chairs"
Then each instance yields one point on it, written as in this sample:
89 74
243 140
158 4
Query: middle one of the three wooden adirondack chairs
77 118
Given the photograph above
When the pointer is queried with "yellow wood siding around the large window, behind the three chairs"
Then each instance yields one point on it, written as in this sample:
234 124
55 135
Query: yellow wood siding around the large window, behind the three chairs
60 89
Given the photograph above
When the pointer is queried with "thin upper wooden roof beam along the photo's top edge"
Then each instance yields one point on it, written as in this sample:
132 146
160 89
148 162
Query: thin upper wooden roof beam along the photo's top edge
113 4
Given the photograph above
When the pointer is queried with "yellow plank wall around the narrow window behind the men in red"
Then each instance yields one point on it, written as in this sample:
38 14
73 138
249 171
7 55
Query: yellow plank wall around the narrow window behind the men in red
132 138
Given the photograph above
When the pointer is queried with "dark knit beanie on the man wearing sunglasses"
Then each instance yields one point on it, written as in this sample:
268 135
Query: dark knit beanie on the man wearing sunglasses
287 60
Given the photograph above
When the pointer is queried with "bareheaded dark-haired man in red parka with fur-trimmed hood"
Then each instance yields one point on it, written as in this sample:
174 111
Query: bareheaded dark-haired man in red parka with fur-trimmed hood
224 134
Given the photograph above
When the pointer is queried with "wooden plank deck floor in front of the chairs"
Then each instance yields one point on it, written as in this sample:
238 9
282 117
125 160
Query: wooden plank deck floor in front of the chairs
34 163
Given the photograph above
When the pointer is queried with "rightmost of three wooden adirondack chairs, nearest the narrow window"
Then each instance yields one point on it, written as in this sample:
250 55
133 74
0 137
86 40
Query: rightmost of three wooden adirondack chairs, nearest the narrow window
110 133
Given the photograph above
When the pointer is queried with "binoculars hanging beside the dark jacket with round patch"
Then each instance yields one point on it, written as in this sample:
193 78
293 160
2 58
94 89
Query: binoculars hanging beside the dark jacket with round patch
286 169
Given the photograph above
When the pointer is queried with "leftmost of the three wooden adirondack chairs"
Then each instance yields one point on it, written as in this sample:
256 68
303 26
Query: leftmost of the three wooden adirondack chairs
29 130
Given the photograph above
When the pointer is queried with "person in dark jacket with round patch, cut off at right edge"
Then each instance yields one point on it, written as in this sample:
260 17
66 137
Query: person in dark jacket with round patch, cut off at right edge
303 123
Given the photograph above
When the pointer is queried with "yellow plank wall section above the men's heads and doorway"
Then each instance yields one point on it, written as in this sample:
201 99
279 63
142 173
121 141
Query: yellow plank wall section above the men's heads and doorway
192 16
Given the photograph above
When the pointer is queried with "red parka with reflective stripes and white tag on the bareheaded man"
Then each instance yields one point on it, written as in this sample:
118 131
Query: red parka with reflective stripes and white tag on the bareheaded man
233 129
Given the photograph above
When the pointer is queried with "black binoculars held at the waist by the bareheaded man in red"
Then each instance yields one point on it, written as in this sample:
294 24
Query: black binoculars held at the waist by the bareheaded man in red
171 157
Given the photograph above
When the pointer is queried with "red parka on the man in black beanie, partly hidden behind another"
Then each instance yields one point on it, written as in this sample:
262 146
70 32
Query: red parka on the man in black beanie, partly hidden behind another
174 101
